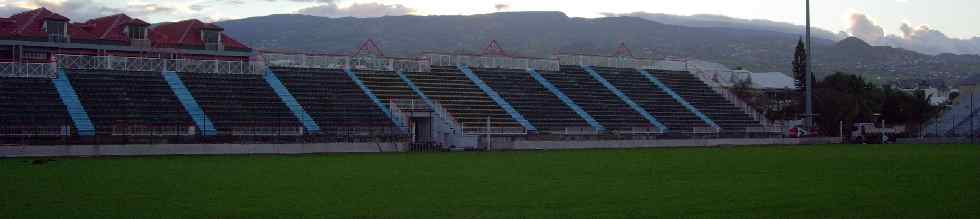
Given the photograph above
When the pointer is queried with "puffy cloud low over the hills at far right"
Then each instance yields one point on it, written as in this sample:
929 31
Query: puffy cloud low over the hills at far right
923 38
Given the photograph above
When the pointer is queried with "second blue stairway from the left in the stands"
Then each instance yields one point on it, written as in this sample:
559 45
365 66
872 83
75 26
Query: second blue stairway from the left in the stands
201 120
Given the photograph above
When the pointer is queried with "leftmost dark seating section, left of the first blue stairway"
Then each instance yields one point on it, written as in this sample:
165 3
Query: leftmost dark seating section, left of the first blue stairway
30 107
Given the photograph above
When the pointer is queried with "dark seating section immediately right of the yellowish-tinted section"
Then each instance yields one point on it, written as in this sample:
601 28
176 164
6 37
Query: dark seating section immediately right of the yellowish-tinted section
542 108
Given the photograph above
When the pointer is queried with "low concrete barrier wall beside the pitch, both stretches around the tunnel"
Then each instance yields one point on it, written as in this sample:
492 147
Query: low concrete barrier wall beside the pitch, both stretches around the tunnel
499 144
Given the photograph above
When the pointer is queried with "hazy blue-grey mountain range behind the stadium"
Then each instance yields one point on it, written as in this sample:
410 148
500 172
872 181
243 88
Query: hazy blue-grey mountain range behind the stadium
542 34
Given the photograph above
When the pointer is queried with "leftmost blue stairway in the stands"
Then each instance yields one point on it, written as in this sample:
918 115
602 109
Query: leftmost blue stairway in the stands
75 109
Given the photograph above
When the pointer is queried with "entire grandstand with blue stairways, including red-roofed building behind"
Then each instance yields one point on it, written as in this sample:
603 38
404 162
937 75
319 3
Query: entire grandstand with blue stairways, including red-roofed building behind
120 80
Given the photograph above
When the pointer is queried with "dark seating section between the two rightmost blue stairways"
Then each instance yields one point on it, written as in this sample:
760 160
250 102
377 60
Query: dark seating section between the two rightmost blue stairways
656 101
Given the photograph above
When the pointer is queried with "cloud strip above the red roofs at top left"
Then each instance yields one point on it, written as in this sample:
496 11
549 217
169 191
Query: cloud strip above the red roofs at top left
81 10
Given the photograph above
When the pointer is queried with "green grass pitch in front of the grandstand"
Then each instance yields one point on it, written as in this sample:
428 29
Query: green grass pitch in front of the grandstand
891 181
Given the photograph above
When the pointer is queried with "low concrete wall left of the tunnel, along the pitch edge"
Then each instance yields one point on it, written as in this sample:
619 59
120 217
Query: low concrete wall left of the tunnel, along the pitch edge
195 149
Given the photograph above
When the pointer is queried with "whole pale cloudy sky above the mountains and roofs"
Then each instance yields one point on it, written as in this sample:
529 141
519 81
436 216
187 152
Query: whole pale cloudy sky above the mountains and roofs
901 23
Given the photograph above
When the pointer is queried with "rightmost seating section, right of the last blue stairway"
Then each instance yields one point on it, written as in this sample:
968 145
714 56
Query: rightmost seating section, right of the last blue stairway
730 118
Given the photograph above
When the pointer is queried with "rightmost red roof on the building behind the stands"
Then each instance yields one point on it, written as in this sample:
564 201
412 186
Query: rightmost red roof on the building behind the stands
188 34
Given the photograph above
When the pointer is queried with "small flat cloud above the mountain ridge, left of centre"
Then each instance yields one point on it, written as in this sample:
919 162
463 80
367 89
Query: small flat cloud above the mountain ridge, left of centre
360 10
